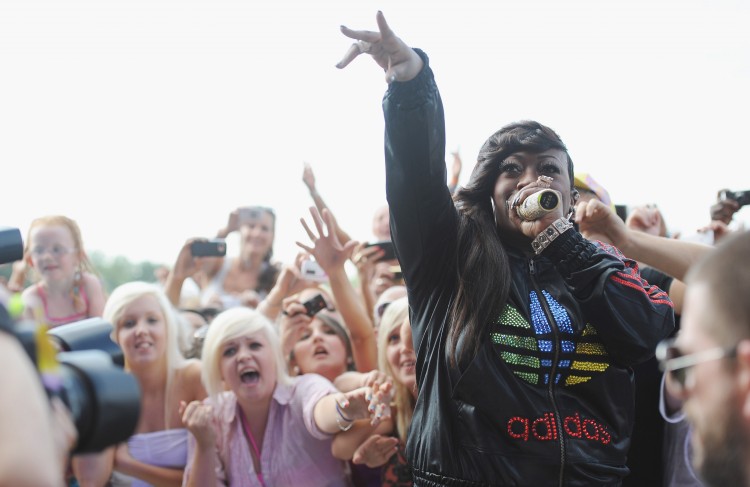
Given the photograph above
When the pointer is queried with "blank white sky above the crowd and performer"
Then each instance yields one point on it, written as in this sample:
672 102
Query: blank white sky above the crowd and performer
148 121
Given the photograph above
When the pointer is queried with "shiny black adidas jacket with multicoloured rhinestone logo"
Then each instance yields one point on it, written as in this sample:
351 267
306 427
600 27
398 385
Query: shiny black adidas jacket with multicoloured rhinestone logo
548 400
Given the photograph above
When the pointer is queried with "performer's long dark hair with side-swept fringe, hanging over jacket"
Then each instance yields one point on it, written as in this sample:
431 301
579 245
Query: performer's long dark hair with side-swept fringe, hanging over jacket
483 269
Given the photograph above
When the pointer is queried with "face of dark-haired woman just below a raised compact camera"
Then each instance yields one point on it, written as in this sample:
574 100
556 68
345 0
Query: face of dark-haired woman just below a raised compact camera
321 350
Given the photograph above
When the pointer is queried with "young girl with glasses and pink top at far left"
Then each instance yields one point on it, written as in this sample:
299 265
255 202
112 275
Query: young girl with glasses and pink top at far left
67 290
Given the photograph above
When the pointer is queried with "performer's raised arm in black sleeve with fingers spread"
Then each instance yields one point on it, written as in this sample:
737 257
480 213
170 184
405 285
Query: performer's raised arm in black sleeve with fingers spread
420 203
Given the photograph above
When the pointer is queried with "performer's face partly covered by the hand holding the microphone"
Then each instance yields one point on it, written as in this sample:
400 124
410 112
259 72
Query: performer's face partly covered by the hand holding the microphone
523 168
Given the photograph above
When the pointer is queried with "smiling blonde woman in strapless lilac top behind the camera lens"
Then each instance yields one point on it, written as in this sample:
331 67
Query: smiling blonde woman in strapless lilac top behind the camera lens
146 328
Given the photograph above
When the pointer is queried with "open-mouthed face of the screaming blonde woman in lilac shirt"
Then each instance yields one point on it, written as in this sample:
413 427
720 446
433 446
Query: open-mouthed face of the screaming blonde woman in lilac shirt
248 367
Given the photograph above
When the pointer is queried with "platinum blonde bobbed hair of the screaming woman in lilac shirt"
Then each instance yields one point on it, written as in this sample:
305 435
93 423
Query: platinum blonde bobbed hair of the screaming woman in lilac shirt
231 324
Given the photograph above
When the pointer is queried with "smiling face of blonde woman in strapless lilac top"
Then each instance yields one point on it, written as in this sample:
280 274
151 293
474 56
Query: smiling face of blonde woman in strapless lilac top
142 332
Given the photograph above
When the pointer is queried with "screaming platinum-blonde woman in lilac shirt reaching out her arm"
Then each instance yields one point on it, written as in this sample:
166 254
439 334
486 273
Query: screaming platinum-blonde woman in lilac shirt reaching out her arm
260 427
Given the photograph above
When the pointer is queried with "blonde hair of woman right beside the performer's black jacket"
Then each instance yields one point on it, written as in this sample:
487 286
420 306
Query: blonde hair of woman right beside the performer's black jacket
393 318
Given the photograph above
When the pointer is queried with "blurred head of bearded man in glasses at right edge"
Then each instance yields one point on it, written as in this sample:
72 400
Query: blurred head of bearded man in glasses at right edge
708 364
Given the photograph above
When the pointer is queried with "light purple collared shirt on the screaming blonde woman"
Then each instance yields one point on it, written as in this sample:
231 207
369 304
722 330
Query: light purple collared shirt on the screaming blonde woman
294 452
